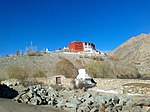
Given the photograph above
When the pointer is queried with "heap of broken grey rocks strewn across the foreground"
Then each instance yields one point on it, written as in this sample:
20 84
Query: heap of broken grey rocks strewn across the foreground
89 101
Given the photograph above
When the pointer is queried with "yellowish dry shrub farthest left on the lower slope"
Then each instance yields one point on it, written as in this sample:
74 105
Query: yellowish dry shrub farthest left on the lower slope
17 72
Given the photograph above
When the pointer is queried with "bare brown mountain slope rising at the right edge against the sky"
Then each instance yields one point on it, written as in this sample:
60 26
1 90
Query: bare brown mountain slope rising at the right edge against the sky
136 51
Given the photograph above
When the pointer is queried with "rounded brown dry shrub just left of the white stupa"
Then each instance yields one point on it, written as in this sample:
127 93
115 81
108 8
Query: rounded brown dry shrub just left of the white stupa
66 68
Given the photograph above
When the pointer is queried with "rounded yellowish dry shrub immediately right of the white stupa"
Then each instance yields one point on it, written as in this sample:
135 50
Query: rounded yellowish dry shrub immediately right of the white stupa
99 69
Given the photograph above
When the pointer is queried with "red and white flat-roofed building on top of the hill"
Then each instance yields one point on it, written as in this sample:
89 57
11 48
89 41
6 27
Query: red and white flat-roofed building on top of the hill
81 46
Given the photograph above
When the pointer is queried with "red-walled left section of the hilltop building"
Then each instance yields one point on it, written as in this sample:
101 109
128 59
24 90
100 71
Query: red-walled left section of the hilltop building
76 46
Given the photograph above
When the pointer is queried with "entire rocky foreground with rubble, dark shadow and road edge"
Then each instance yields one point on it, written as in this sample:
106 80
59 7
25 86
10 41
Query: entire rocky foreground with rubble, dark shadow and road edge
43 98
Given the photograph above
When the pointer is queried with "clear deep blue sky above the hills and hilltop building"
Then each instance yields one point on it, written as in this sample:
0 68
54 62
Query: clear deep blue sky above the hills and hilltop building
54 23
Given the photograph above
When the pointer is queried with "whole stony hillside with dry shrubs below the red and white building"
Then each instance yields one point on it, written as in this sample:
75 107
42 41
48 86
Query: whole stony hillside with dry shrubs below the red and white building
50 64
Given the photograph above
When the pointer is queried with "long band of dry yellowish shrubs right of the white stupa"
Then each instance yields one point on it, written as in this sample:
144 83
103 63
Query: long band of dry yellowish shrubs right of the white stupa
111 69
